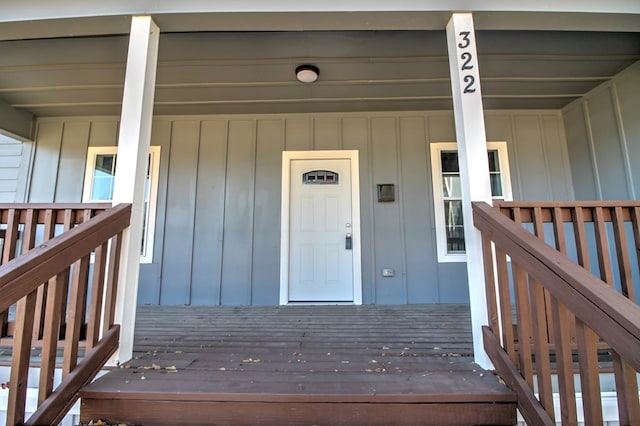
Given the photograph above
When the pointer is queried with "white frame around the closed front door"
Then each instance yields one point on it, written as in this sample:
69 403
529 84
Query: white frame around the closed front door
287 157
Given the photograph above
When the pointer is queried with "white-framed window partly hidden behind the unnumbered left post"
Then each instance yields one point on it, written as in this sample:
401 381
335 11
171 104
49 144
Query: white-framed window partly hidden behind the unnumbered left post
99 178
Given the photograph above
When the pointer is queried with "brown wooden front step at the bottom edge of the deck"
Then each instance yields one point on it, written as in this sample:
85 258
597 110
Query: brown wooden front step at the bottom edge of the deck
192 397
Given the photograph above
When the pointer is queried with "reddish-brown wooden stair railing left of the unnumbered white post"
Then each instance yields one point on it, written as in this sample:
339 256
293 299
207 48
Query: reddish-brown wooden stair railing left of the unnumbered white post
52 285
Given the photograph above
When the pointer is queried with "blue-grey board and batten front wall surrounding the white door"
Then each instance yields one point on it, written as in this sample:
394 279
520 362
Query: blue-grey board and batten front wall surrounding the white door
217 237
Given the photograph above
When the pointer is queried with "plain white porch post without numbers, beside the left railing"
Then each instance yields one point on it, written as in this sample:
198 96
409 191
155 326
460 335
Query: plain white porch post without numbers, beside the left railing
131 167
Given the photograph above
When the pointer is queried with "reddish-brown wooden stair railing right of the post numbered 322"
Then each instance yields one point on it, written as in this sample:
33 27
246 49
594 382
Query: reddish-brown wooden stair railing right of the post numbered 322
551 314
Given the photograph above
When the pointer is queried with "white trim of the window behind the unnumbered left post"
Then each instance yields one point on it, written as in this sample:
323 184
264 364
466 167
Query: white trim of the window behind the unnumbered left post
150 220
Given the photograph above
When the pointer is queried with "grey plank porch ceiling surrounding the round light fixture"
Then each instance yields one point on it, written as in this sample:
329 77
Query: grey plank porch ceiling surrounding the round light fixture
253 72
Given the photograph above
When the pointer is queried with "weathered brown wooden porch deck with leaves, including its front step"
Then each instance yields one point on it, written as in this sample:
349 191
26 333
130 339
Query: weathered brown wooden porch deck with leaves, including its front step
307 365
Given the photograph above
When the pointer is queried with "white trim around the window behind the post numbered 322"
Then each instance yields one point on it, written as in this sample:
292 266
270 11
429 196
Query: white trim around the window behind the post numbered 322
438 197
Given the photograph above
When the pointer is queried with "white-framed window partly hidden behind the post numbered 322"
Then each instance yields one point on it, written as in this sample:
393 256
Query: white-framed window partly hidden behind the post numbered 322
447 194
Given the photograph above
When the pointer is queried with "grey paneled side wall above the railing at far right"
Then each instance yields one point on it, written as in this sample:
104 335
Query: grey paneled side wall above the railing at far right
603 139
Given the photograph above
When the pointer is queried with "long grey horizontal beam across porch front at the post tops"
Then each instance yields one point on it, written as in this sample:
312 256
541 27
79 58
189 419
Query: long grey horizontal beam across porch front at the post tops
20 28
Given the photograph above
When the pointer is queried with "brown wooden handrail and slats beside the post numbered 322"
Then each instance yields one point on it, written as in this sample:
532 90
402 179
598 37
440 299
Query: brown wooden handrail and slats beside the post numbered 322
544 284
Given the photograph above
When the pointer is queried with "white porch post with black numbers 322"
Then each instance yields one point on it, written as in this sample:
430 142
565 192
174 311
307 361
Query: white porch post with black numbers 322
472 158
